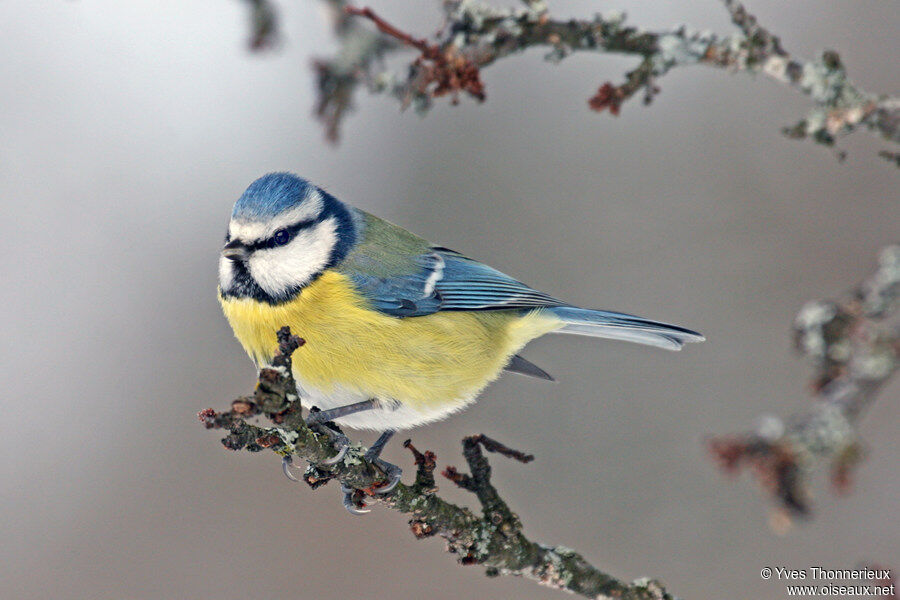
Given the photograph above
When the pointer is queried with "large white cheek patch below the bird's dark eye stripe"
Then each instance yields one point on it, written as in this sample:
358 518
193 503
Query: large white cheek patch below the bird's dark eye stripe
281 270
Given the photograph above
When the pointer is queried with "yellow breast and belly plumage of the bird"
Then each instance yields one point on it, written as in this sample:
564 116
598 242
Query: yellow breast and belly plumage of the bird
421 362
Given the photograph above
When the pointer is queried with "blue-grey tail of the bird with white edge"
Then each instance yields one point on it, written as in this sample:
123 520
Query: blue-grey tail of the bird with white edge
619 326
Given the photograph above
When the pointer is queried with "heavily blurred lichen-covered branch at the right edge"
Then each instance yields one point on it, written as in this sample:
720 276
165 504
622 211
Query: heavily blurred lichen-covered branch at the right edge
854 345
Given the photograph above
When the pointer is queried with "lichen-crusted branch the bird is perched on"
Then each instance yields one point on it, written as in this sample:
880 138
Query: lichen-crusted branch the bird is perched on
493 539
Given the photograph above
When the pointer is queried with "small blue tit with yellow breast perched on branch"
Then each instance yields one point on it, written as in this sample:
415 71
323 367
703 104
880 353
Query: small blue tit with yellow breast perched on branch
399 332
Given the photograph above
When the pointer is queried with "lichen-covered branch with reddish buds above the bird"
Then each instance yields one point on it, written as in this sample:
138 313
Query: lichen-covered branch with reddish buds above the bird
476 35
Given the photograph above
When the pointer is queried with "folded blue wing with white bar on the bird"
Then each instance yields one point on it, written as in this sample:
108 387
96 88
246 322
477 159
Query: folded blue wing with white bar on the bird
447 280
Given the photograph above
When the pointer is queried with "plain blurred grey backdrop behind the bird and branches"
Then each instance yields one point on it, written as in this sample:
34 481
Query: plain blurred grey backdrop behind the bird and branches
129 128
